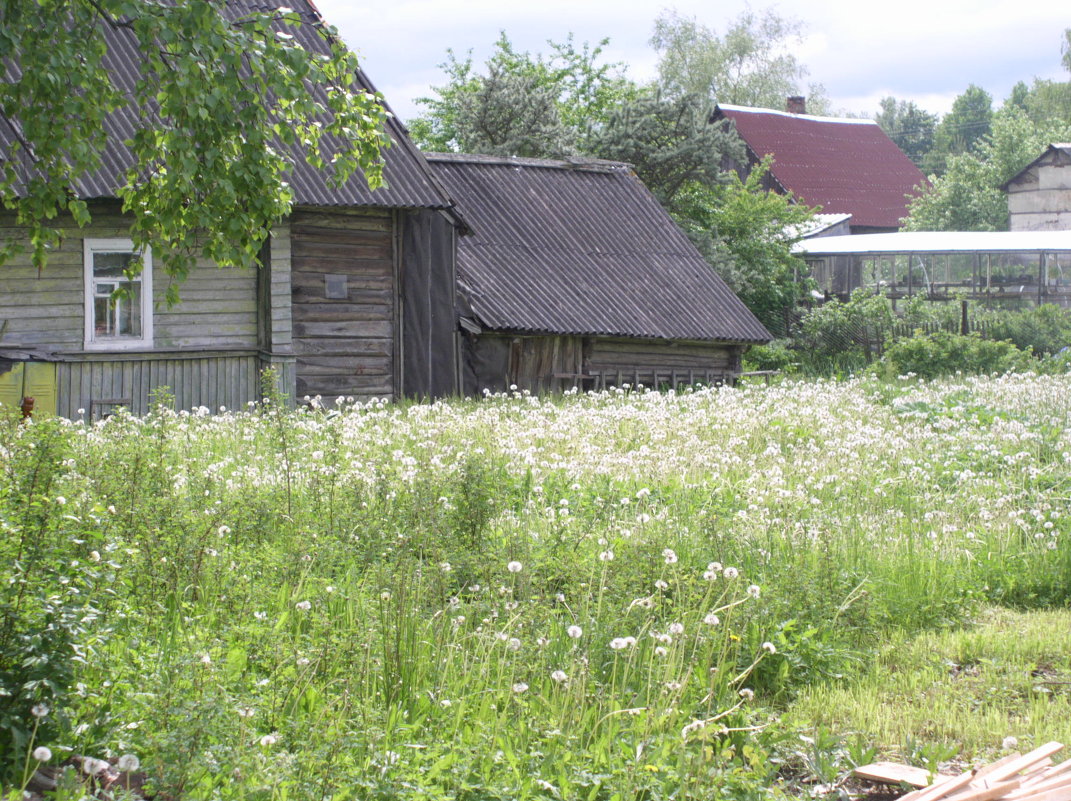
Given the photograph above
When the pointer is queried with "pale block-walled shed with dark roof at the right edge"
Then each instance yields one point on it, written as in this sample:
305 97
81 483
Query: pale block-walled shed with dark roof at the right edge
1039 195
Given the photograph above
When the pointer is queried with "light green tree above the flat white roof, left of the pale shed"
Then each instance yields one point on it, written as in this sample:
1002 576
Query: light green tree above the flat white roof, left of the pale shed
970 197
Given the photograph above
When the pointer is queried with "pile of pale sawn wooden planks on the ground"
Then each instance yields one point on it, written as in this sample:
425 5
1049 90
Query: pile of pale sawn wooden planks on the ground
1032 777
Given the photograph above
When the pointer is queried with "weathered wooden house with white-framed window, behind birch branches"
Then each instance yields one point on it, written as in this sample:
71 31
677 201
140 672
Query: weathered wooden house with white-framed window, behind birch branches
355 298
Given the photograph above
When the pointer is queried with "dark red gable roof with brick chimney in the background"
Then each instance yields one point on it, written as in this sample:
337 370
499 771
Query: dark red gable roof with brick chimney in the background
843 165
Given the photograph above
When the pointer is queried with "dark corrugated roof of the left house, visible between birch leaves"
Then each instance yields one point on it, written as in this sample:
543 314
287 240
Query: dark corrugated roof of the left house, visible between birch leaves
409 180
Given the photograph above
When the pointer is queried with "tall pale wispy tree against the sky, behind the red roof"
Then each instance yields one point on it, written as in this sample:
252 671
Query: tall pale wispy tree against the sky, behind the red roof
751 65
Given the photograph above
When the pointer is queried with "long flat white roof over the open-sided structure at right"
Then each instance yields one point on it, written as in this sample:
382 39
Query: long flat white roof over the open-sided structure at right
938 243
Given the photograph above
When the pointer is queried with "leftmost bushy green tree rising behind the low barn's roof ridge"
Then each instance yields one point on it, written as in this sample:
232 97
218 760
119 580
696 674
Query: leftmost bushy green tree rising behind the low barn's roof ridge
522 104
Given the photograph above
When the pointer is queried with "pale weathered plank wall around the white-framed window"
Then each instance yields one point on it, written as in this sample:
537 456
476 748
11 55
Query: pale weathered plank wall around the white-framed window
208 350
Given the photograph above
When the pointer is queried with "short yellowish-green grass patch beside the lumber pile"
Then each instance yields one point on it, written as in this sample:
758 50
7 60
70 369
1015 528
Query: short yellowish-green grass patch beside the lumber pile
1009 675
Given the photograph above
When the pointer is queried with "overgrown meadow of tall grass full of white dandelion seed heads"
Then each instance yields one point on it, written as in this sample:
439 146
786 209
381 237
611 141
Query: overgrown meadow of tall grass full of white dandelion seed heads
598 597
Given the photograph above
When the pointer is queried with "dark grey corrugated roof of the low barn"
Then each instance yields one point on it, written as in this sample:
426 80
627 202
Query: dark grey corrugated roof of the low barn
582 248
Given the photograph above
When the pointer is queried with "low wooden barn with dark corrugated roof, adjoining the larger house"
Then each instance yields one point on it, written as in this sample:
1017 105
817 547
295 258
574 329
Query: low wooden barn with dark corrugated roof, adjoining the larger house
576 276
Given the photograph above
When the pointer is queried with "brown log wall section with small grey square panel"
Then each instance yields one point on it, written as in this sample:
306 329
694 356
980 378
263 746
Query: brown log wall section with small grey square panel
345 345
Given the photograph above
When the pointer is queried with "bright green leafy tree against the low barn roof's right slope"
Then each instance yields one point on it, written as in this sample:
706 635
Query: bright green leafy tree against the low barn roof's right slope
748 233
